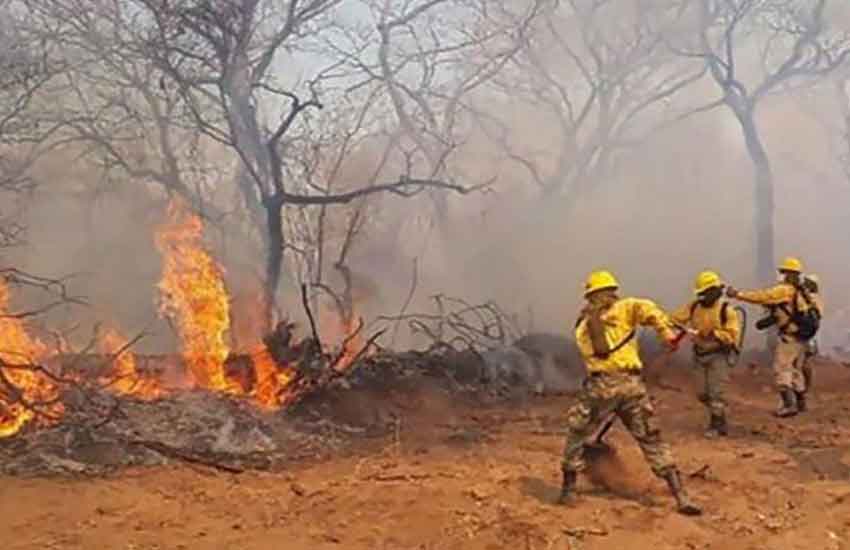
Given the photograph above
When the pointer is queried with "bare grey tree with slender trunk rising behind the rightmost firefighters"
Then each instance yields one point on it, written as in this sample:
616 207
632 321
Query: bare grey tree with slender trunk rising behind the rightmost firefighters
793 44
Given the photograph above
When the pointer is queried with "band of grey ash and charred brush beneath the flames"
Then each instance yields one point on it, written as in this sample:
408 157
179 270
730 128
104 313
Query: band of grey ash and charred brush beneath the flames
101 431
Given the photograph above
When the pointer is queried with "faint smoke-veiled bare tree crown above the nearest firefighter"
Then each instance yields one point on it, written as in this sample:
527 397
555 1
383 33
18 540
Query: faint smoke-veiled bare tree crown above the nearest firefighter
602 71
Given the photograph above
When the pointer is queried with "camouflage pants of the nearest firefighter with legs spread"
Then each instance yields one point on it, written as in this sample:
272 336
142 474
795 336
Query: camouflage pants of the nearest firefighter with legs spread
625 395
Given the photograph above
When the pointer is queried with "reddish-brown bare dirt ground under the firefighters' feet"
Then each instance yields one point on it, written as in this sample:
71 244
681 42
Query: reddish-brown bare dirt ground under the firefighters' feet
485 478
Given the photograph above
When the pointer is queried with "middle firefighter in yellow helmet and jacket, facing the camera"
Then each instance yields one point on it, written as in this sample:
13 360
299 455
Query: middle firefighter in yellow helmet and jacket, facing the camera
716 332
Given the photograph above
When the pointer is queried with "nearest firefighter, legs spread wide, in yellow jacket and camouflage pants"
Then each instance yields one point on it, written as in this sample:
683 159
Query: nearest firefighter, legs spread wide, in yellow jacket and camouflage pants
605 335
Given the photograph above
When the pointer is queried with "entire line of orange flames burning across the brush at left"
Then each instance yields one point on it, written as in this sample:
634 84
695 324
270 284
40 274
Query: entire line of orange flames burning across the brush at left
193 296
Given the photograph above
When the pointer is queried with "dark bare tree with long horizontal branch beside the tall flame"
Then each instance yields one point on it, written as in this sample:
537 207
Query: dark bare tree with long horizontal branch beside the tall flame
221 58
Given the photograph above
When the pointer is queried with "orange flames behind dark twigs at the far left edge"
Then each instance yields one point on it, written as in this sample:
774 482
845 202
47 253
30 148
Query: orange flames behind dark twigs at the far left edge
21 385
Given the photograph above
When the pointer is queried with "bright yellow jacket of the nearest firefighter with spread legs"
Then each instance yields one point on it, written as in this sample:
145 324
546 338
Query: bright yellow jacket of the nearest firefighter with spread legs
621 322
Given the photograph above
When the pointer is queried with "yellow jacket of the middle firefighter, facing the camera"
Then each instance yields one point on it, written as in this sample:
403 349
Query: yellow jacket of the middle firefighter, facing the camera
711 333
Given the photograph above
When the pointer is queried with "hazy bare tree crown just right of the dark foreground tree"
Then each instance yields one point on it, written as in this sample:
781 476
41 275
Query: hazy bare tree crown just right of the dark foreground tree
432 59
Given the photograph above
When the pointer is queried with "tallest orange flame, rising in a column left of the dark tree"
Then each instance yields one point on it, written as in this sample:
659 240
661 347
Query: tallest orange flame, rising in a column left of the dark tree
193 293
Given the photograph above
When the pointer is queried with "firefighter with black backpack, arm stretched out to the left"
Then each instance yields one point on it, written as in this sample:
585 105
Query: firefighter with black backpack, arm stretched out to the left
794 314
